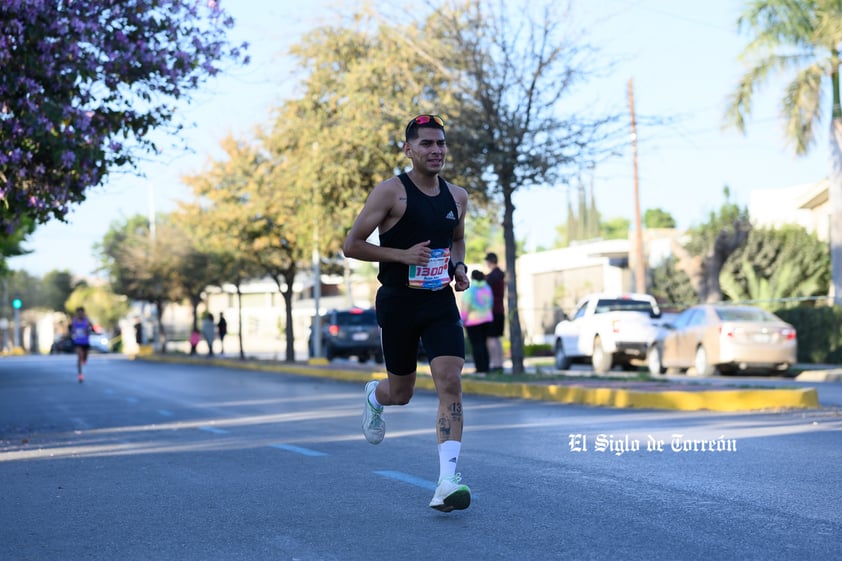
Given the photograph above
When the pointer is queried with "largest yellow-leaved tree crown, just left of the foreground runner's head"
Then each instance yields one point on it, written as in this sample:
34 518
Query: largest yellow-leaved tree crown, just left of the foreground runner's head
361 80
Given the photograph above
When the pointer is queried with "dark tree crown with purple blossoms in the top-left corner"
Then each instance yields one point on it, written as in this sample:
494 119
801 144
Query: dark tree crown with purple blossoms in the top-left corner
85 82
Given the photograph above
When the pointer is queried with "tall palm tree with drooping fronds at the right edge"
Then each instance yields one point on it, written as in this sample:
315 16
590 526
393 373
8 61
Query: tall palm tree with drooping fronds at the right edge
802 37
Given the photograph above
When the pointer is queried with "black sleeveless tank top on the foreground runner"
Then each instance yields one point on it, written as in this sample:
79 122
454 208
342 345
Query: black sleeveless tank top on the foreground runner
425 218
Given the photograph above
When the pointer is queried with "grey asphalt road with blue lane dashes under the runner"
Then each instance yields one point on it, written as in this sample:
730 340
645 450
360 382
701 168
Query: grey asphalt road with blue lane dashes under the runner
156 462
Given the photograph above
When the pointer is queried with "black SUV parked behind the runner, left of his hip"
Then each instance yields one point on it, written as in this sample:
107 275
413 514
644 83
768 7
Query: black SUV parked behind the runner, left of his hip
347 333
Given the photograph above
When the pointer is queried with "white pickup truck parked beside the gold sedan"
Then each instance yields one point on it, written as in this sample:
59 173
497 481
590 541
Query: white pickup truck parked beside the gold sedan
607 330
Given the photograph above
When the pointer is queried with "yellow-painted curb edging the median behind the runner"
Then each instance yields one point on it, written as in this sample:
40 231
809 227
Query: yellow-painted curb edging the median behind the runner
726 399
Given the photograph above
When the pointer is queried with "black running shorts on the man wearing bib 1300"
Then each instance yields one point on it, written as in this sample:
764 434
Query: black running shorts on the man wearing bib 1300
406 315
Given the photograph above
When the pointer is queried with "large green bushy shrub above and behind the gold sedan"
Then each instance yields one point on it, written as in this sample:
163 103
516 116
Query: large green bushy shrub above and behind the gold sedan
776 264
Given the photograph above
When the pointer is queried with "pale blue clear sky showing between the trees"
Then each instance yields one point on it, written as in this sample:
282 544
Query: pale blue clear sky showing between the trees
682 57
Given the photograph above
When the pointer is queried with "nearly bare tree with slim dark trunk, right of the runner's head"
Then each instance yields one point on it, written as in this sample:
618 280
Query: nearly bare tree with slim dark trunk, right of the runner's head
514 66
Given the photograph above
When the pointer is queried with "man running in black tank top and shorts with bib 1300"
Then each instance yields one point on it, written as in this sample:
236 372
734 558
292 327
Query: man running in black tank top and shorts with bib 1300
420 219
